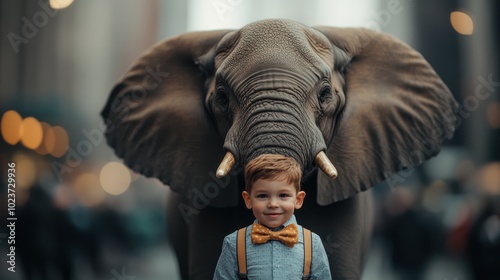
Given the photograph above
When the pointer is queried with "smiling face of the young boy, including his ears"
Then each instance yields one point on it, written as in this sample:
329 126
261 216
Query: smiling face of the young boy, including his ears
273 202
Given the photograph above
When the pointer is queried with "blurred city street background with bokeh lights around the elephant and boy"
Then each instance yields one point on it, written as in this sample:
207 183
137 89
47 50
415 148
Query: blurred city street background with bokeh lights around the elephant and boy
81 213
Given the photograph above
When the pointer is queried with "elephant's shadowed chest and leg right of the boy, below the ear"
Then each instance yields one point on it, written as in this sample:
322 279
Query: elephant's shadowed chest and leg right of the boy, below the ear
345 228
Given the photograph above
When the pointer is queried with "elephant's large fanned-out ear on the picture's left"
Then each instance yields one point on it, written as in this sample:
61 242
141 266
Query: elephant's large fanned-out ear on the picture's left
157 121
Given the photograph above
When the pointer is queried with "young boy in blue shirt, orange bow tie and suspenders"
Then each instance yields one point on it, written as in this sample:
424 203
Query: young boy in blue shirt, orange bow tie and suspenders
273 246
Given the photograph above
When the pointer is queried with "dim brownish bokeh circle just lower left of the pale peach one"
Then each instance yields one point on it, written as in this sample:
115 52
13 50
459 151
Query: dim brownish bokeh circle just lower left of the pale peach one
88 190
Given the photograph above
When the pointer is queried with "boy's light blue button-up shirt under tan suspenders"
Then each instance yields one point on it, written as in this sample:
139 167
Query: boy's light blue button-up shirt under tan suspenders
273 260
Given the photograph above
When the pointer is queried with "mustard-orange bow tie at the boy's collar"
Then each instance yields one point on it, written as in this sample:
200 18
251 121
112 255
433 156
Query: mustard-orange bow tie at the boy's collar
288 236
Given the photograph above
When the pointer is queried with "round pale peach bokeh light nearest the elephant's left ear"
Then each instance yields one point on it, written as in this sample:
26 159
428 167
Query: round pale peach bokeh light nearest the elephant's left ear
115 178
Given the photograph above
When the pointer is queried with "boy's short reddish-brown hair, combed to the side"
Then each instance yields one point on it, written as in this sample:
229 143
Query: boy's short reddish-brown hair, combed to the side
273 167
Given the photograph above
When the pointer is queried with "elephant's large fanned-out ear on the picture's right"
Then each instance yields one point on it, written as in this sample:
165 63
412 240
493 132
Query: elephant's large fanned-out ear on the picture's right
398 112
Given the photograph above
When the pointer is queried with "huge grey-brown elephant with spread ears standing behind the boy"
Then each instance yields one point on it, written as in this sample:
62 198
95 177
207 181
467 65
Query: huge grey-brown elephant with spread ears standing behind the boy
351 103
